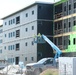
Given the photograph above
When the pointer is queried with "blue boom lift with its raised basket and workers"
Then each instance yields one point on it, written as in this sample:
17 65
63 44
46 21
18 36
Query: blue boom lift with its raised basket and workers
42 39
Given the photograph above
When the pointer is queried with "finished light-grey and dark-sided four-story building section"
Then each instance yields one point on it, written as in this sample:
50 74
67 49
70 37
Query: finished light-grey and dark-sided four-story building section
19 29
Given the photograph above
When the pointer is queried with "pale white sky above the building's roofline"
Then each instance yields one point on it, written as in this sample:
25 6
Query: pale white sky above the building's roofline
9 6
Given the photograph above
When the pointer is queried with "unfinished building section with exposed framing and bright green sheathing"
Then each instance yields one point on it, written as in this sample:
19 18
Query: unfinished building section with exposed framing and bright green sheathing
65 26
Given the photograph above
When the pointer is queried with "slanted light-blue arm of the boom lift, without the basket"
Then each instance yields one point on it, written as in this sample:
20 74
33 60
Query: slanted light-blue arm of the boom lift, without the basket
58 51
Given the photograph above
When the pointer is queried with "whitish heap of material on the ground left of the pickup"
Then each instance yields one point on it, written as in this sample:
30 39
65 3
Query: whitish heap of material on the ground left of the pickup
11 70
